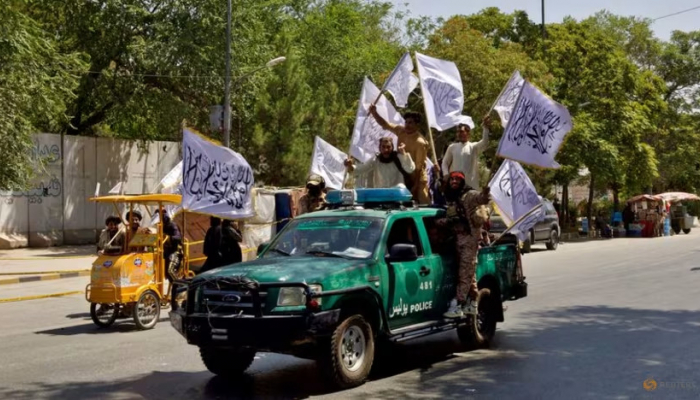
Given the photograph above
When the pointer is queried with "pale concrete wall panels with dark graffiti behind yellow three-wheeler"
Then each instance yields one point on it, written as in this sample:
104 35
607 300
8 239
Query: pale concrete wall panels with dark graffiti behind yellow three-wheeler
56 210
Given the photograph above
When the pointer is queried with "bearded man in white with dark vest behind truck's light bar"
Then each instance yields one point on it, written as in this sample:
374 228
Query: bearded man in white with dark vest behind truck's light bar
389 168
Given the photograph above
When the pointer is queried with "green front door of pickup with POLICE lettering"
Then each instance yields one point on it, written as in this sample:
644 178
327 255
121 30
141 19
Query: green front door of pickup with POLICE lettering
412 283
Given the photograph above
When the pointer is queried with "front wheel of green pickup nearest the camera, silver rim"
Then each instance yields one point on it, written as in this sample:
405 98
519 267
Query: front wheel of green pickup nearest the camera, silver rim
348 360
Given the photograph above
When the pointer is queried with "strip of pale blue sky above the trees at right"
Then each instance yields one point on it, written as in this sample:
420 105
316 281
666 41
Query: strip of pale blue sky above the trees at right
556 10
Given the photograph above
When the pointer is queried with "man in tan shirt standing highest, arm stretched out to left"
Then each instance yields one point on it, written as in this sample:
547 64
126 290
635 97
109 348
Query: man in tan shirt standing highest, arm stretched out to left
415 145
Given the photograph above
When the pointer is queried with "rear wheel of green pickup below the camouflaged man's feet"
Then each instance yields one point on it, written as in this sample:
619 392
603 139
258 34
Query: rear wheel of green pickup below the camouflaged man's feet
479 332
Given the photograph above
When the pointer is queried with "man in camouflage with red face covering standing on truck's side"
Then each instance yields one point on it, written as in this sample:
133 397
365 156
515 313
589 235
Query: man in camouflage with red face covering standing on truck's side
466 214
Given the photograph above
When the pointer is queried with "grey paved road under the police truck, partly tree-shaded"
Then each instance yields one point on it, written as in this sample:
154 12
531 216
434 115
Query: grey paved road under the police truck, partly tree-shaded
600 319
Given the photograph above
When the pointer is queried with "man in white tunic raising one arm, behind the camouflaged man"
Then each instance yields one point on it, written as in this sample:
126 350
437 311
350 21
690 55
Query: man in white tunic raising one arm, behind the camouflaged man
463 156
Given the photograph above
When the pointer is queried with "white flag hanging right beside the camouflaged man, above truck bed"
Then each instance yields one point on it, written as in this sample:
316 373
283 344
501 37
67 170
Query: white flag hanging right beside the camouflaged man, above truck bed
513 192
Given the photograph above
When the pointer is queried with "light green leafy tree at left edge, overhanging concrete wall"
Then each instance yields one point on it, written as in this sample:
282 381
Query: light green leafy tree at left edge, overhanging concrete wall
36 81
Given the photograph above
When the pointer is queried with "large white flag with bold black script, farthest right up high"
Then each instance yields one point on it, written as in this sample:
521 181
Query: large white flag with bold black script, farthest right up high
536 129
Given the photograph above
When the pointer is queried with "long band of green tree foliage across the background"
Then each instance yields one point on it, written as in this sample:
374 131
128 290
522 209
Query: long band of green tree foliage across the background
137 68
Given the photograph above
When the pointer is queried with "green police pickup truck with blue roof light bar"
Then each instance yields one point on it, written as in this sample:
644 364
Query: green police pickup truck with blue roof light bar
335 285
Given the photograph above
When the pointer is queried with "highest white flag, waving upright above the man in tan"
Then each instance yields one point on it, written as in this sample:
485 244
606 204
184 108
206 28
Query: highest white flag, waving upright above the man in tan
441 86
